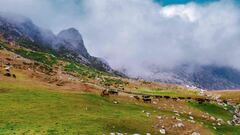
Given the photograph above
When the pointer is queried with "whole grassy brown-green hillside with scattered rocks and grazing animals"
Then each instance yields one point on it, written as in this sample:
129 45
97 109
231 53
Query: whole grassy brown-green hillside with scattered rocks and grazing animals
51 94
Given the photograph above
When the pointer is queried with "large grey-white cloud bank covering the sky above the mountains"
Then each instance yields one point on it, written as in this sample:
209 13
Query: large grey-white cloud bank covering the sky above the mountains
141 35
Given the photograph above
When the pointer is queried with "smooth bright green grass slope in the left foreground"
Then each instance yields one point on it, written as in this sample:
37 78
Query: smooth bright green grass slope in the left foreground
36 110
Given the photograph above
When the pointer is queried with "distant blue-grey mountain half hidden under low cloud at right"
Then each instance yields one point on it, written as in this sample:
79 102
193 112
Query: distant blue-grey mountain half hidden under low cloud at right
210 77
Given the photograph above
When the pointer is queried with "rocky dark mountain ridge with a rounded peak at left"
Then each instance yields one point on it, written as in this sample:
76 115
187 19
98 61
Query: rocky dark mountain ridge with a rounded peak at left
68 43
